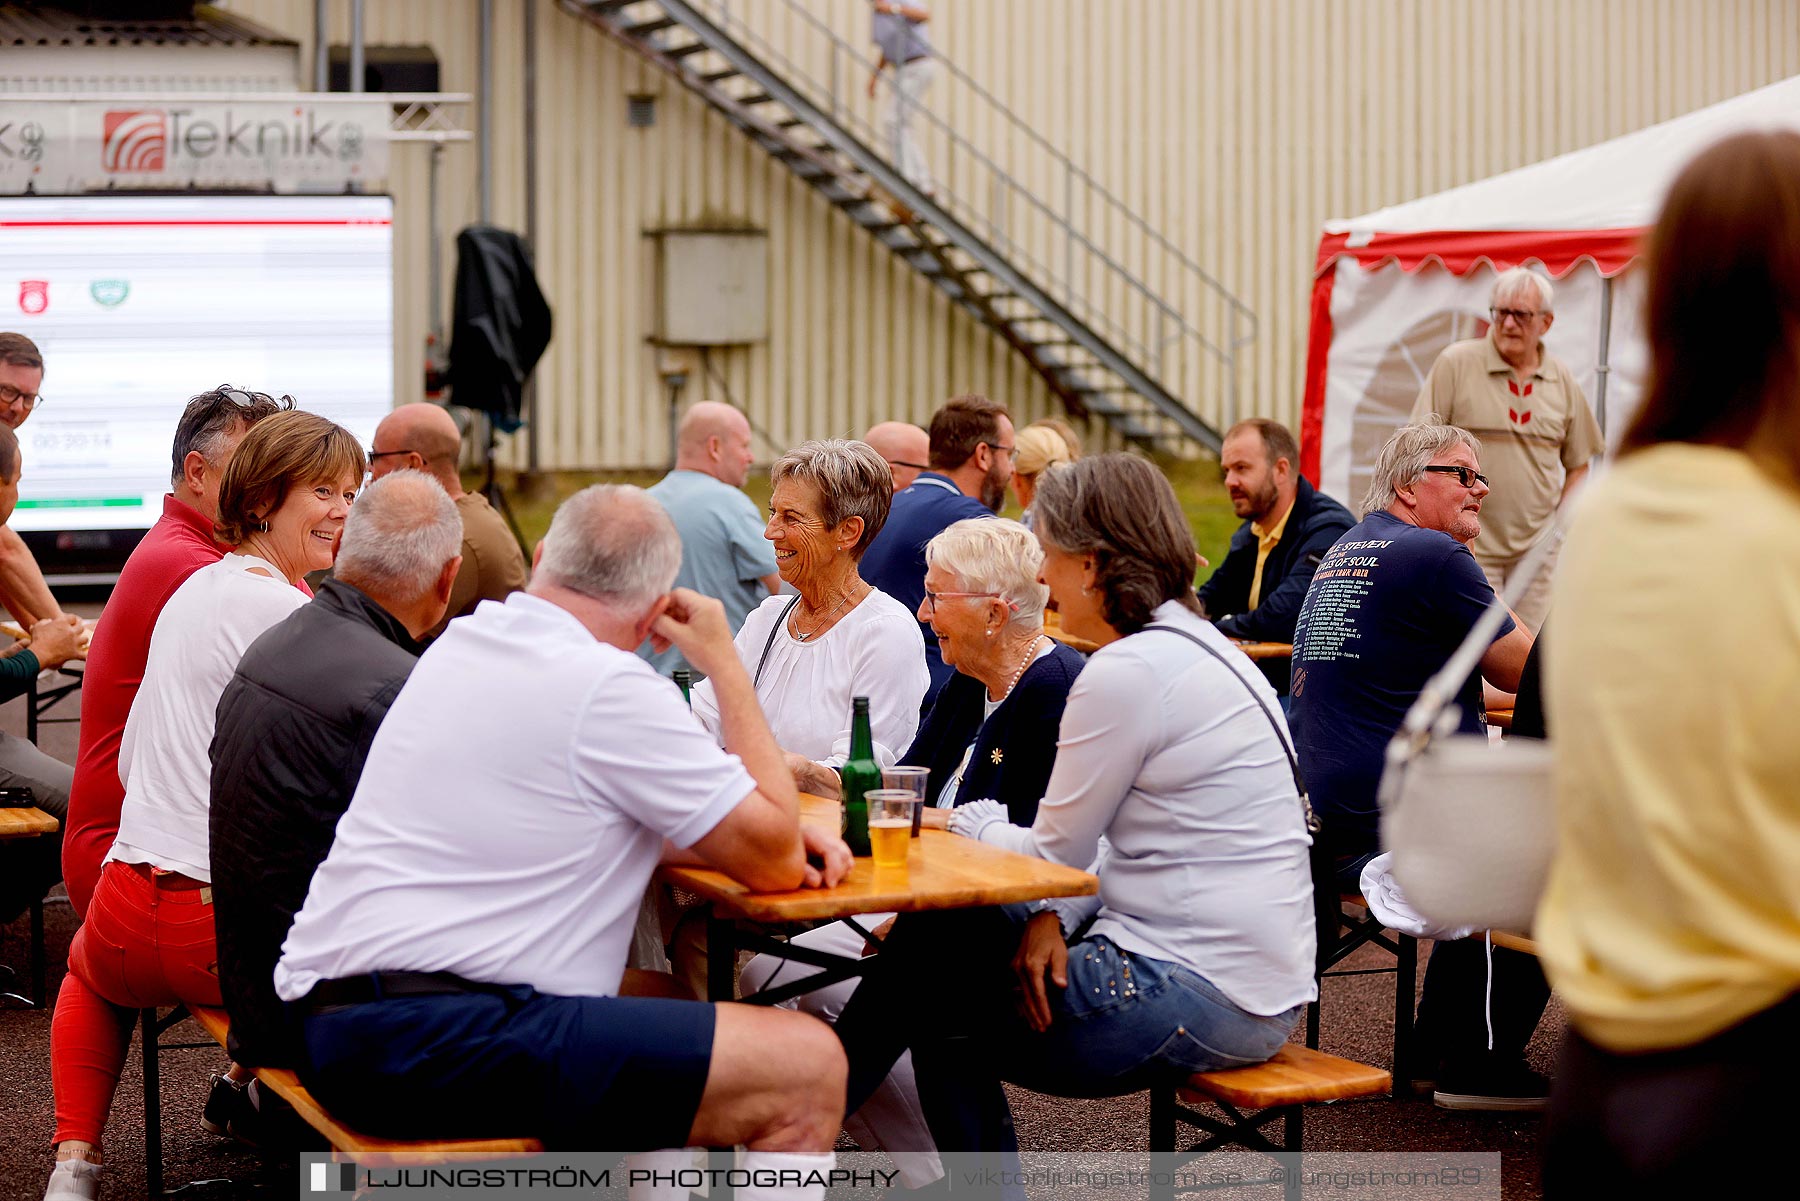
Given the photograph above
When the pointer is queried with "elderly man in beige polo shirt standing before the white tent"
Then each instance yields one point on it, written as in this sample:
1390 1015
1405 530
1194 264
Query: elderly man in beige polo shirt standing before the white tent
1531 415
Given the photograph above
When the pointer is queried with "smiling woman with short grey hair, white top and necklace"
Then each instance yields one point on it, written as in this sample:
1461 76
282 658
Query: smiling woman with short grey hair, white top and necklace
840 637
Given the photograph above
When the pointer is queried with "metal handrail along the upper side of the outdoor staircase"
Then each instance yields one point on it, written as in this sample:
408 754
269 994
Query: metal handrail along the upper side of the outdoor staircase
1162 325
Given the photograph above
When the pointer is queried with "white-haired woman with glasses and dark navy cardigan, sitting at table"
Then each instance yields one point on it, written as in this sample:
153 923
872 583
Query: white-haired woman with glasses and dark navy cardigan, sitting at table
991 736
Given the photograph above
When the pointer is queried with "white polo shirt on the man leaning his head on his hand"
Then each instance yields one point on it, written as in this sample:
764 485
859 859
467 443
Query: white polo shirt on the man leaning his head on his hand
512 811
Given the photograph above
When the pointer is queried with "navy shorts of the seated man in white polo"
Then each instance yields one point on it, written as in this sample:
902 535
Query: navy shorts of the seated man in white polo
582 1074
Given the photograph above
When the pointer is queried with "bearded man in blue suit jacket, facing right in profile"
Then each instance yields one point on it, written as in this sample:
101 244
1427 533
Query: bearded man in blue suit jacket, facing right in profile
971 465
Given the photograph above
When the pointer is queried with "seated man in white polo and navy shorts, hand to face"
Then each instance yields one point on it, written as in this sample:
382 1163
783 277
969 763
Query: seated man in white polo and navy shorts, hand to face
458 957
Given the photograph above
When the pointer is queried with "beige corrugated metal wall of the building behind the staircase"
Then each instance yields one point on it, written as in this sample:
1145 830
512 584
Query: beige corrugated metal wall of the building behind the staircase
1234 127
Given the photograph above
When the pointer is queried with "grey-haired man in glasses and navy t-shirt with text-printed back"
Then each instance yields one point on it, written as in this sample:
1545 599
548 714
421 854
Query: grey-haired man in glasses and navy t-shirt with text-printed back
1387 610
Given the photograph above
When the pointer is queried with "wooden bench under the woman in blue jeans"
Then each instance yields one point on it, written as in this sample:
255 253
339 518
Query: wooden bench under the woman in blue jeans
1281 1088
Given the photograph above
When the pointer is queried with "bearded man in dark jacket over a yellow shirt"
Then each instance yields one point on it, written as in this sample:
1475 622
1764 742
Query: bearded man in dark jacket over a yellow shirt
1288 527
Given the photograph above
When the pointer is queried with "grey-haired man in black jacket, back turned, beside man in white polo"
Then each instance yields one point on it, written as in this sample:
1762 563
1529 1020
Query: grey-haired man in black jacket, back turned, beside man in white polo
294 730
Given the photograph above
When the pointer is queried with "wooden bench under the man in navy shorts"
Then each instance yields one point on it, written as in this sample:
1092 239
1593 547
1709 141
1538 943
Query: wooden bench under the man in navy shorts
368 1150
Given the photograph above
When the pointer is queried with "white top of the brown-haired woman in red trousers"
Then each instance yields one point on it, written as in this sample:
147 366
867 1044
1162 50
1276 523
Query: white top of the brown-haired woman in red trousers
166 752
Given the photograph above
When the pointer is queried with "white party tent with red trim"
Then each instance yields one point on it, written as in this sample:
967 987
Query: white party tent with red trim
1396 287
